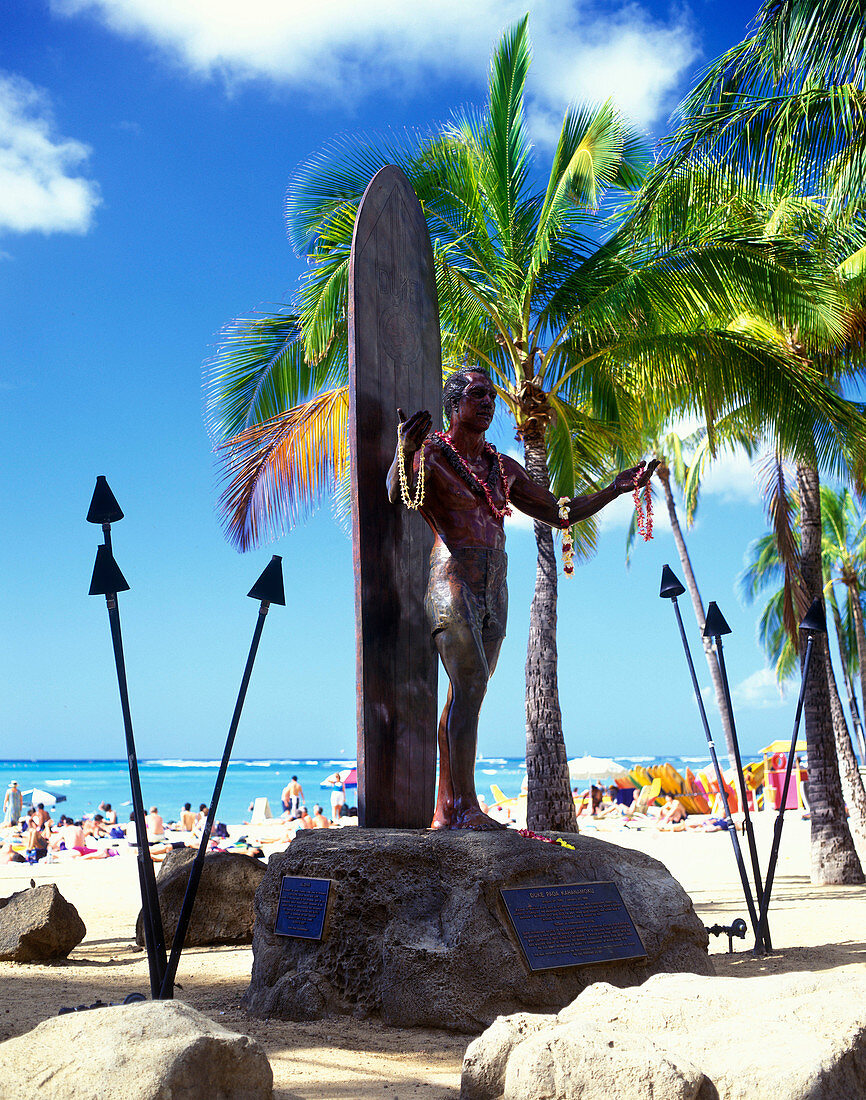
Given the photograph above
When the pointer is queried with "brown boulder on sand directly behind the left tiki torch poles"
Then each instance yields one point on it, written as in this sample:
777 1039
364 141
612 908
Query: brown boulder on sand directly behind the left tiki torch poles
224 909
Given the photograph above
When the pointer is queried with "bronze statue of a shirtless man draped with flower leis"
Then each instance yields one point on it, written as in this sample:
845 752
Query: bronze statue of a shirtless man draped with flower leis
468 487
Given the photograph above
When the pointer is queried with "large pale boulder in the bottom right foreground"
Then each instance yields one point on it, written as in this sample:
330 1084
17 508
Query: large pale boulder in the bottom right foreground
793 1037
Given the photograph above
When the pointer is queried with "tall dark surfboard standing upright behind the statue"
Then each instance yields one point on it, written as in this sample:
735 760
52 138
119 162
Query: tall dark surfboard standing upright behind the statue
394 361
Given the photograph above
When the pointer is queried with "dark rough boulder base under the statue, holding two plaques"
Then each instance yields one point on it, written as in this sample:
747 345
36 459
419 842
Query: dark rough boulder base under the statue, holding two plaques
419 934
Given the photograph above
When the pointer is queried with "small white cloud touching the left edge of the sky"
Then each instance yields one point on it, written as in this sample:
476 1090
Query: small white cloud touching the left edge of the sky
40 191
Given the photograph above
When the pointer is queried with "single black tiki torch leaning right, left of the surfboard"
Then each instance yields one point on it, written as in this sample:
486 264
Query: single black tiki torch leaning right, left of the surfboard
269 590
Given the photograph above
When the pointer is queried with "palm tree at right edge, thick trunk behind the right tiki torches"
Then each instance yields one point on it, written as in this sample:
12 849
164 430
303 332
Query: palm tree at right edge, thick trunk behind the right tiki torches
739 197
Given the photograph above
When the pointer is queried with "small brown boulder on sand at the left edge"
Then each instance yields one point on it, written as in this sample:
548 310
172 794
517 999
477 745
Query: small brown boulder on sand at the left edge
39 925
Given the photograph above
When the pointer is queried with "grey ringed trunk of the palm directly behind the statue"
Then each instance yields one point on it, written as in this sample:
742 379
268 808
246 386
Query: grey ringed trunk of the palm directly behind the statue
550 804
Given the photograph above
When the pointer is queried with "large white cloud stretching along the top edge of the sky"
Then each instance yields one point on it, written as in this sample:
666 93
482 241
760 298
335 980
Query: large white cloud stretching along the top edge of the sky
347 48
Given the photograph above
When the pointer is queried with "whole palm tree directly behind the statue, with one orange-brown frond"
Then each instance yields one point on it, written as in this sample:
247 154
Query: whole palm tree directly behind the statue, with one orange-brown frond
574 333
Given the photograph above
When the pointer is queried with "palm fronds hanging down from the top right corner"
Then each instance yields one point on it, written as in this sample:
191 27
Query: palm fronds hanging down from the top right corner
790 97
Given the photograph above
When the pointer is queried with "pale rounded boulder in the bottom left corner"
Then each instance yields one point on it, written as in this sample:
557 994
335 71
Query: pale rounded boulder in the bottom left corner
150 1051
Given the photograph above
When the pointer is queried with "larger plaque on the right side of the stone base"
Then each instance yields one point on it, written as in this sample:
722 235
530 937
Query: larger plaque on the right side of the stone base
573 925
